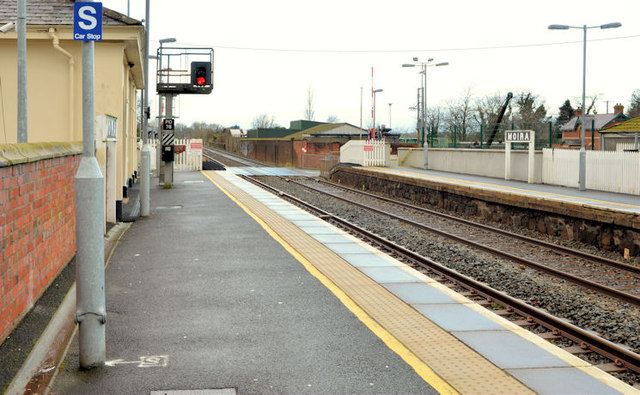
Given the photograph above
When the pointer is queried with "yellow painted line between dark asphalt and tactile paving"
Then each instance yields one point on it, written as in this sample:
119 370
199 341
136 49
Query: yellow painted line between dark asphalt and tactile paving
394 344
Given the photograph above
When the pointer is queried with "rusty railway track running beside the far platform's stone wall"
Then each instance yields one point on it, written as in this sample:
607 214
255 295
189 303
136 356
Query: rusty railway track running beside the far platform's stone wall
606 276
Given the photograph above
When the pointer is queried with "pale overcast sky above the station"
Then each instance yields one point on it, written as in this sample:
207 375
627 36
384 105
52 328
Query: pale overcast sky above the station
269 54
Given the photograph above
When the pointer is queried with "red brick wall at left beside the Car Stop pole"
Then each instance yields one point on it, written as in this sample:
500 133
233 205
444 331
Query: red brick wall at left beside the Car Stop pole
37 232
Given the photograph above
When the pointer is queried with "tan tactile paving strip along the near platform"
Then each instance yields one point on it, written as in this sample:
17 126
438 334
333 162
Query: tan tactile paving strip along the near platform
458 365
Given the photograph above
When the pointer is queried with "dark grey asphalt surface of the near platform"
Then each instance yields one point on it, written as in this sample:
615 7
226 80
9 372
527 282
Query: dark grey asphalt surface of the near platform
199 296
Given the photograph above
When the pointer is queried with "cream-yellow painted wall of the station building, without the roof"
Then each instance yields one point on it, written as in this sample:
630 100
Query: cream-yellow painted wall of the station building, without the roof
54 95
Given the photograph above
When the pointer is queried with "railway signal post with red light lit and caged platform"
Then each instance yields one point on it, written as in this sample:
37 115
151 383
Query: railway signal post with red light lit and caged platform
172 80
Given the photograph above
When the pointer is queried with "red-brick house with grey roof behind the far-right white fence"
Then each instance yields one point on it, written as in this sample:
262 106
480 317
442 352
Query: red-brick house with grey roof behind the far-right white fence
595 123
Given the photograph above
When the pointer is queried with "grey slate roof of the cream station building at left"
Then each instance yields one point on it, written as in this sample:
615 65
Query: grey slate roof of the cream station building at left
56 12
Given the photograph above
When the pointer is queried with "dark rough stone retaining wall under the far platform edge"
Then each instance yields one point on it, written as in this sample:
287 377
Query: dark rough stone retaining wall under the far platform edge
606 229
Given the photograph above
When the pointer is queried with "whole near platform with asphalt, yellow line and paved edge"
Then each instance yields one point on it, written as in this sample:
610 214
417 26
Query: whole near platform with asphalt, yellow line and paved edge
226 288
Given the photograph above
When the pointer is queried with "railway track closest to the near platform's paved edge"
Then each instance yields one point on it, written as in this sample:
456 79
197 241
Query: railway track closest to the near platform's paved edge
582 342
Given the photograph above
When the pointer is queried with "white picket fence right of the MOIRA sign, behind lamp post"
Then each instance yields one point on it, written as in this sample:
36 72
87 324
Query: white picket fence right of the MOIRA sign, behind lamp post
605 170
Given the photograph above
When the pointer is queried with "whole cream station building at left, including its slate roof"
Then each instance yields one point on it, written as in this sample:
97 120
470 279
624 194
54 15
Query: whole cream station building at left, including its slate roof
54 86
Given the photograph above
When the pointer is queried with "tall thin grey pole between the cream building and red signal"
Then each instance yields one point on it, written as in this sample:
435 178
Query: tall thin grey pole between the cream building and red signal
145 154
